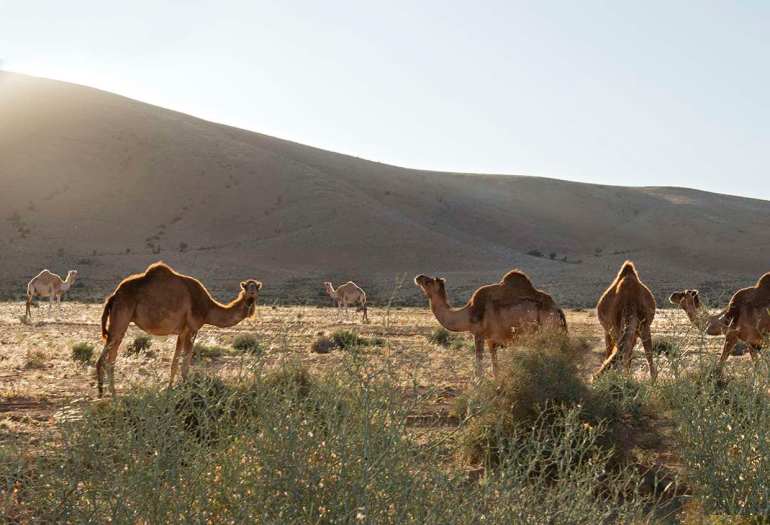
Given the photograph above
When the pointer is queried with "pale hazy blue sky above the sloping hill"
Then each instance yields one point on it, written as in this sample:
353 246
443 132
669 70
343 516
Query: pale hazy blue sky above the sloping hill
632 93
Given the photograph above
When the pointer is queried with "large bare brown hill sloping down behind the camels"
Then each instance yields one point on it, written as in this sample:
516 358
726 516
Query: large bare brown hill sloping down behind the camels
106 184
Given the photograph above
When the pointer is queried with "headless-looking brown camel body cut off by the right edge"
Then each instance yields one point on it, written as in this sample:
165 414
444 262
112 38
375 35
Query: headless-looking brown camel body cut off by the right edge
747 319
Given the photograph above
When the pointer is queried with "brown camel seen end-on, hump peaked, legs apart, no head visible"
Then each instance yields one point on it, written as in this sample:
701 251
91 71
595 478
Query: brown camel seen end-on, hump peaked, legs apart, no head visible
625 311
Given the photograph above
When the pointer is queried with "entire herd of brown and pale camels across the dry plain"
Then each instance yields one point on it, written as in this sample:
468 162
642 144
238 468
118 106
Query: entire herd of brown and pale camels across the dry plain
161 301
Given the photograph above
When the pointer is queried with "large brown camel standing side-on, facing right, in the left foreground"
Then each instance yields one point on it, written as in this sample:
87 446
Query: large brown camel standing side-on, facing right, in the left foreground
161 301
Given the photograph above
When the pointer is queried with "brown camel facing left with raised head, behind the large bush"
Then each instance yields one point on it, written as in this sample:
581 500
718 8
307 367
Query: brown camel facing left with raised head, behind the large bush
495 313
